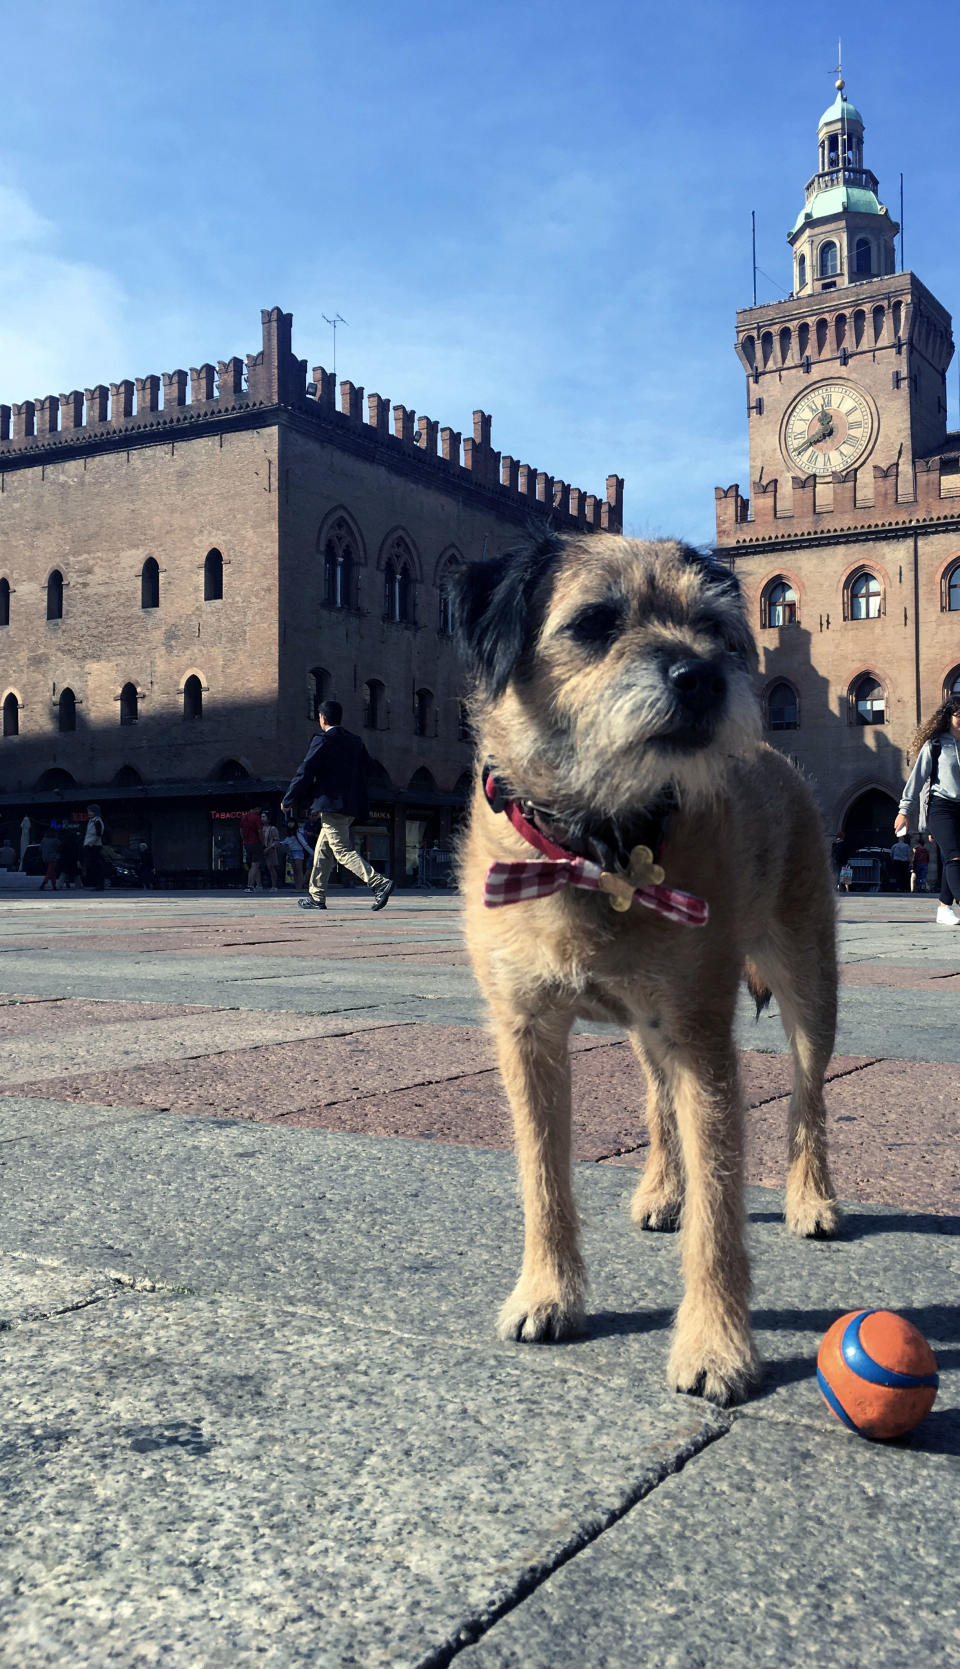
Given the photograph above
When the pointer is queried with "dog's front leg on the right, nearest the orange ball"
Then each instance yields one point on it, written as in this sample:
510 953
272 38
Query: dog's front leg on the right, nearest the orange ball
714 1349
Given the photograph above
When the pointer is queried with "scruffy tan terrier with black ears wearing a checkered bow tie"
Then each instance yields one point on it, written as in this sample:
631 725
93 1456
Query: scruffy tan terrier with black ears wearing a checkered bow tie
634 852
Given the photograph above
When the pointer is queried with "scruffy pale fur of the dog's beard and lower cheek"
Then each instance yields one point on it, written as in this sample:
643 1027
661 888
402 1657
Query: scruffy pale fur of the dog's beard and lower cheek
619 754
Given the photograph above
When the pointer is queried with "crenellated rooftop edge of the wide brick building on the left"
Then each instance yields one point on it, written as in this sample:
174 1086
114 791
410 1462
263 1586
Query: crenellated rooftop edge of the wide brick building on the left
144 410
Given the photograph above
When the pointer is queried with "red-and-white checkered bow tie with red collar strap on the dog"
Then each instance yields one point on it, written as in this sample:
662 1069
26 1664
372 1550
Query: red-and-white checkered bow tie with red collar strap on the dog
518 882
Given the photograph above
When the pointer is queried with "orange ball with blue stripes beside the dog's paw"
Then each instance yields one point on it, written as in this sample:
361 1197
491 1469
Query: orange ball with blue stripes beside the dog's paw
877 1373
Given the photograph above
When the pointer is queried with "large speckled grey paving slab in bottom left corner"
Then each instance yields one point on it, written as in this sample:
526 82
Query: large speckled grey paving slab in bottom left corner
221 1483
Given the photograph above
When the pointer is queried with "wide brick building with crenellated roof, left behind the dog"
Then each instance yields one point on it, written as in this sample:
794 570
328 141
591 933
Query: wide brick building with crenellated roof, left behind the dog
188 565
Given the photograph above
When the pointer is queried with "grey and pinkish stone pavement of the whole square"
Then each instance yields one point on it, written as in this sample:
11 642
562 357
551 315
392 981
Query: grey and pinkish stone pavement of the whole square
258 1219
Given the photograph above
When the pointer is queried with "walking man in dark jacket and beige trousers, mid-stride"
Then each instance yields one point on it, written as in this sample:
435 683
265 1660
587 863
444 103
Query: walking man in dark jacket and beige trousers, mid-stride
335 772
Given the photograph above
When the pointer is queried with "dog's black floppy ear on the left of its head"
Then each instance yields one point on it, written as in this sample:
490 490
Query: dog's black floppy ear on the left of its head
498 608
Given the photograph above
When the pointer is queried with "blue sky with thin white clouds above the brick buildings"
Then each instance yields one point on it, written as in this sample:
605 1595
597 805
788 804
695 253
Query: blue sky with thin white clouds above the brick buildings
537 209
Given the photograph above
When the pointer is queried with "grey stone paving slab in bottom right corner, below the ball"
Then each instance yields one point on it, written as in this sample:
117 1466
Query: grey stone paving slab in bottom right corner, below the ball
772 1548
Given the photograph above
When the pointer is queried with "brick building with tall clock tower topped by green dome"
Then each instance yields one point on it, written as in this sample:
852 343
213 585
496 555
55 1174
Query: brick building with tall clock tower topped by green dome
849 545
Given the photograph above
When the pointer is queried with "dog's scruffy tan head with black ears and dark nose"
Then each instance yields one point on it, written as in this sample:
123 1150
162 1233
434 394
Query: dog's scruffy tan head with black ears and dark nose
609 668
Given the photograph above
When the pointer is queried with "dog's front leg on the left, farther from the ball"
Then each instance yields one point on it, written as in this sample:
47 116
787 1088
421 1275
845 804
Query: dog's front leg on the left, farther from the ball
535 1062
